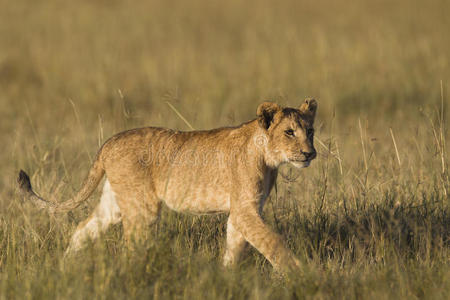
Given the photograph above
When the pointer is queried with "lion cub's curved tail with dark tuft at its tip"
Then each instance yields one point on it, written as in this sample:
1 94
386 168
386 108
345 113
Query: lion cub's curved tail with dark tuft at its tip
90 183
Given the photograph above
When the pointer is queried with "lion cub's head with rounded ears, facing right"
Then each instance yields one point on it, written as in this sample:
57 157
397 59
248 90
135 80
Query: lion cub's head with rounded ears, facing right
289 133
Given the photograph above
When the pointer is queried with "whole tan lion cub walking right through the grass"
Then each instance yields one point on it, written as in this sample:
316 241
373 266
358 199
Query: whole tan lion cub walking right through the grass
226 170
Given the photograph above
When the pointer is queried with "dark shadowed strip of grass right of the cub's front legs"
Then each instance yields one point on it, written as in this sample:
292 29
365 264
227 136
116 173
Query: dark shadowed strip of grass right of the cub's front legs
376 232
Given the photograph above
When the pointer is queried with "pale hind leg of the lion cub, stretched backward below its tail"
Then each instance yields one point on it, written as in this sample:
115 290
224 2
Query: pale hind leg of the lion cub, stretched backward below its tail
106 213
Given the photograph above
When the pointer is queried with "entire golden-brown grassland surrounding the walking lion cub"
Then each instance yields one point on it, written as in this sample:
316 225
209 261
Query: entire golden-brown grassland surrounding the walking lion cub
369 219
